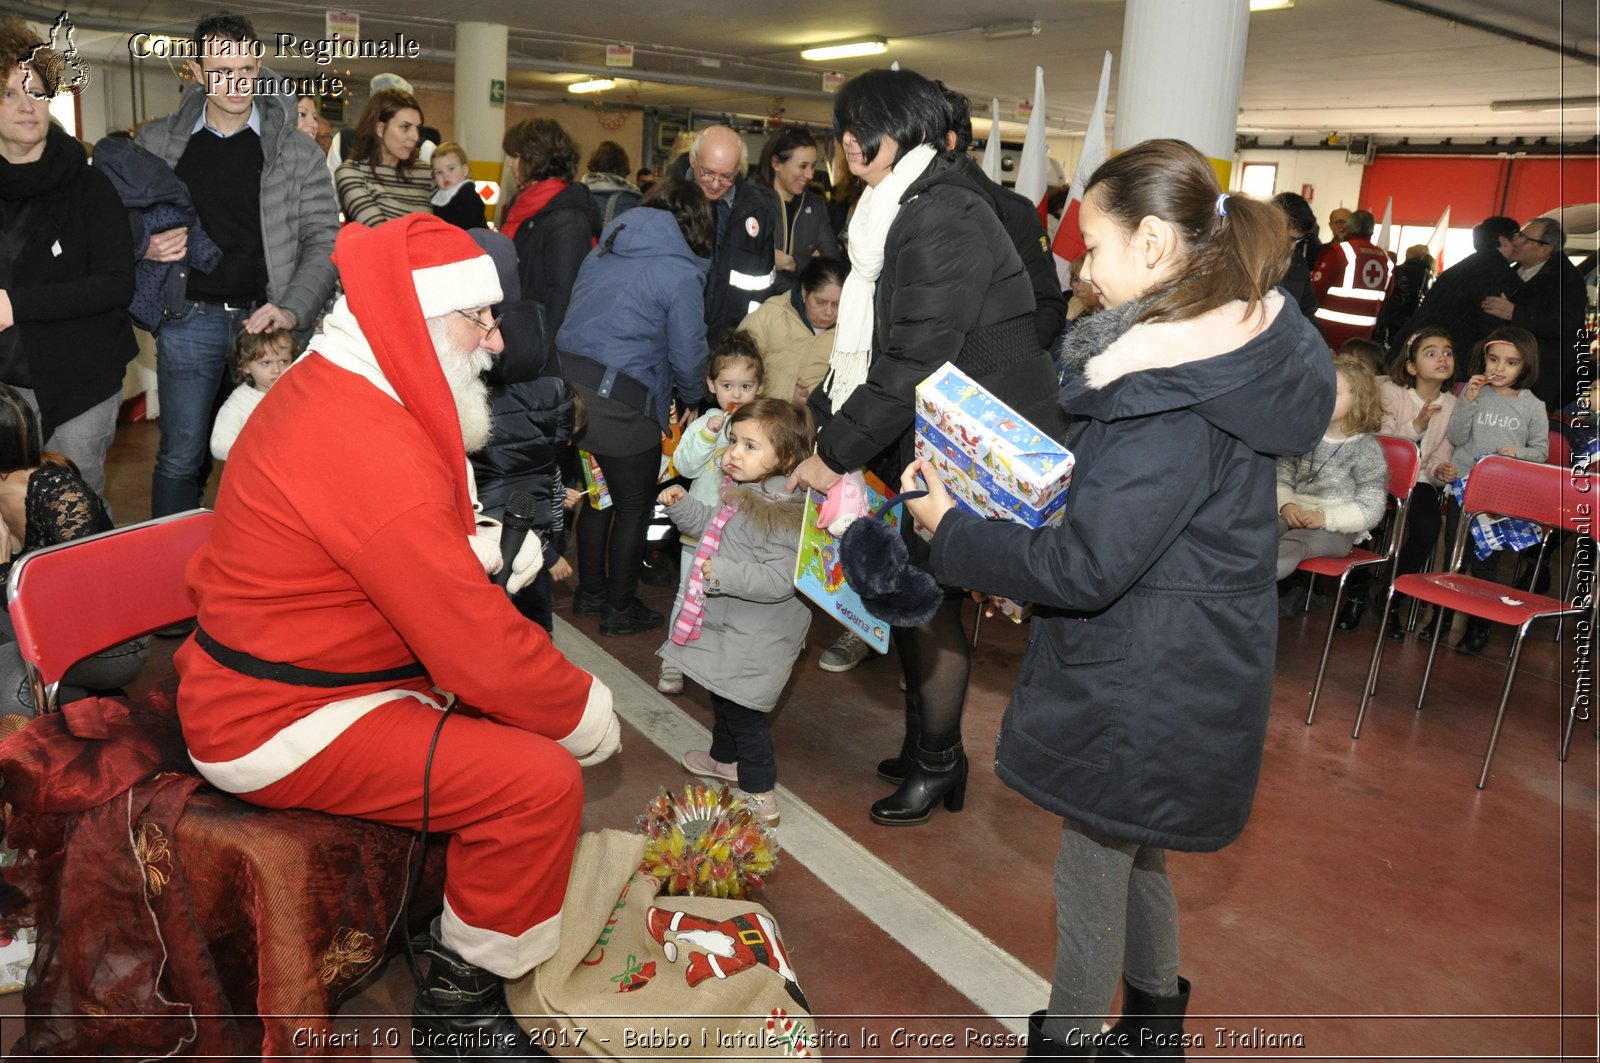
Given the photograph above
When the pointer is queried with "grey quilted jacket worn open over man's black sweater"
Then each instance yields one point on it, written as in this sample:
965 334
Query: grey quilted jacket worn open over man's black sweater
300 214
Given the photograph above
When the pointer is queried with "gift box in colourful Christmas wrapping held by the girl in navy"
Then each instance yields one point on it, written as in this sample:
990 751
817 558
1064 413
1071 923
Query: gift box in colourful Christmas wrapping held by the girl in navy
993 460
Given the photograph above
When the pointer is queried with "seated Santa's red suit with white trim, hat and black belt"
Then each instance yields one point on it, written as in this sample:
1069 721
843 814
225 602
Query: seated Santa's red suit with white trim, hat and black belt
340 547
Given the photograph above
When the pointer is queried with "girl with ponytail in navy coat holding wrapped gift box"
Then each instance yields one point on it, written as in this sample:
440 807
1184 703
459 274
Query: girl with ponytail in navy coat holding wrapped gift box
1142 707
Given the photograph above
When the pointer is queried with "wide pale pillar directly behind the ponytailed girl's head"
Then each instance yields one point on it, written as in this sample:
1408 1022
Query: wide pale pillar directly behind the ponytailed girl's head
1180 76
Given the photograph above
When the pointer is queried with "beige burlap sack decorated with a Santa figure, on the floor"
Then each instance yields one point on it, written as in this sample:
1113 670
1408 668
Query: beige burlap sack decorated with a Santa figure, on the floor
644 977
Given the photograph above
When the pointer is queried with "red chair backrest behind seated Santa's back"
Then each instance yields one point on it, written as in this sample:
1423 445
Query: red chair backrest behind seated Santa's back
58 595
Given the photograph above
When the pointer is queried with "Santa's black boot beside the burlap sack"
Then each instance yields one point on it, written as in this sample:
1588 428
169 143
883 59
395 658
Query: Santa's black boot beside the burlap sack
462 1013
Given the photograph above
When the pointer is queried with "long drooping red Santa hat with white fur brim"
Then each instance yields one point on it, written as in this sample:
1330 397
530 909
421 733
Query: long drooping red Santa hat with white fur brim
396 276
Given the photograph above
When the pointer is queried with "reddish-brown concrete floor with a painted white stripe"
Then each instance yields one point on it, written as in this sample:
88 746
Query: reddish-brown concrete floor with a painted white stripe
1377 907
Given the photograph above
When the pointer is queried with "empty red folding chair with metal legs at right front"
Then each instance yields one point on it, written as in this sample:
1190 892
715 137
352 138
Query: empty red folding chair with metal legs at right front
1505 487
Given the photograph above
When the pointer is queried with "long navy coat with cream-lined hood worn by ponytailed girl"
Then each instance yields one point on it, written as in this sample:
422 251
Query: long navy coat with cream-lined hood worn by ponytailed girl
1142 705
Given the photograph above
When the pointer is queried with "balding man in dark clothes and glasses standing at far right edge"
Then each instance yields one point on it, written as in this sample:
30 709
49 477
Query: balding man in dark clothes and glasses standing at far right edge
1550 305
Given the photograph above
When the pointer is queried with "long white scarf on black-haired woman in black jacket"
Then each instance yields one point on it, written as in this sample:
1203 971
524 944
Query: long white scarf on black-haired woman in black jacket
870 231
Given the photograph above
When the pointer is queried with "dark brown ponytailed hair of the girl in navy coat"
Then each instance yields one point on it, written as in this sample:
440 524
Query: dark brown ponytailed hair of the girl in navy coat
1236 249
